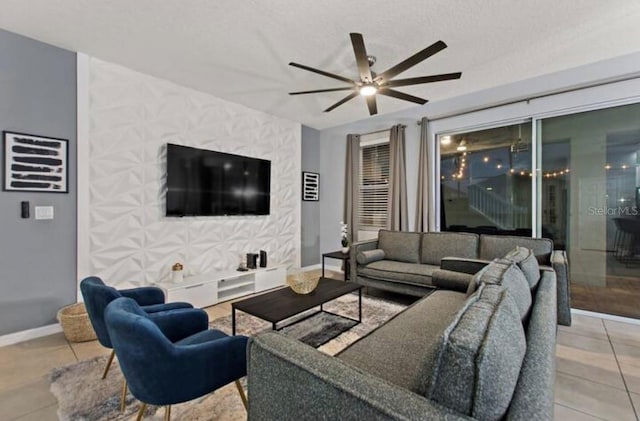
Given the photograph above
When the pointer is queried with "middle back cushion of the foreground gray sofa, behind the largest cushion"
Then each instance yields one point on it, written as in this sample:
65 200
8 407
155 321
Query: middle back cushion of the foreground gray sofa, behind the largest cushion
507 274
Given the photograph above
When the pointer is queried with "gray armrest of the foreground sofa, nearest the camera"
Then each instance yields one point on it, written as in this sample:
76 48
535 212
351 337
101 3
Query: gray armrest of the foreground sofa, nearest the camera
291 380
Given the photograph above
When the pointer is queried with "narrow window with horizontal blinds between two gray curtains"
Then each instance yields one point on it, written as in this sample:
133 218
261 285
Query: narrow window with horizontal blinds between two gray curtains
374 185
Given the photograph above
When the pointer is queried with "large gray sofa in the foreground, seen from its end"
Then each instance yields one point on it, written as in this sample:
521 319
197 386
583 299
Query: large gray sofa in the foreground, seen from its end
487 353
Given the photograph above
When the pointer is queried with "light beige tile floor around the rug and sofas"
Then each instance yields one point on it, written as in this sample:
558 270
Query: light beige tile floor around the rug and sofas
597 373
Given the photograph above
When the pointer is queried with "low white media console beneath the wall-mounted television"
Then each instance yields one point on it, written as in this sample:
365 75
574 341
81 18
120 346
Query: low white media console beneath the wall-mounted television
211 288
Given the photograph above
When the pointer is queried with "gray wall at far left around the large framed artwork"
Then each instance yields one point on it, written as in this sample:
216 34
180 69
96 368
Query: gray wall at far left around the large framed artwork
37 258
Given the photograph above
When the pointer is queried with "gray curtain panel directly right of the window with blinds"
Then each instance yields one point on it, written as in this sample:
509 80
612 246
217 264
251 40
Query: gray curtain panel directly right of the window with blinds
397 218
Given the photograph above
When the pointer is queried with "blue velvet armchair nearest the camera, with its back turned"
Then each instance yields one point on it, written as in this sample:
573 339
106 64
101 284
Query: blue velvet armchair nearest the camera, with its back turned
161 372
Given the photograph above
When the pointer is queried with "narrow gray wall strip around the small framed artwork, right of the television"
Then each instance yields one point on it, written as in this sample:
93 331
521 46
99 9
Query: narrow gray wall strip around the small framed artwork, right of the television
310 241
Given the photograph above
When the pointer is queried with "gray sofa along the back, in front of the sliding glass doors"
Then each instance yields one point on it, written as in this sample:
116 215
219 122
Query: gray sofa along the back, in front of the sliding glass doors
405 262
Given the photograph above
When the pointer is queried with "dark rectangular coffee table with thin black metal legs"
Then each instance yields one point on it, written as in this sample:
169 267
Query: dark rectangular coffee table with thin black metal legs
283 303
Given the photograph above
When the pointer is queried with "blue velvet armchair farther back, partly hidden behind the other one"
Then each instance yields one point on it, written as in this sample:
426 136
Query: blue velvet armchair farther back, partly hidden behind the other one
177 325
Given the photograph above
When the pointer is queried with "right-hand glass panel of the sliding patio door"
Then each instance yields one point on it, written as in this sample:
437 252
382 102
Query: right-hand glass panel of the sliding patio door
590 205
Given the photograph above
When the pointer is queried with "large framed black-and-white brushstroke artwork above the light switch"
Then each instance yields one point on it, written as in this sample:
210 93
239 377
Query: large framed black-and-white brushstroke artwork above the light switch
35 163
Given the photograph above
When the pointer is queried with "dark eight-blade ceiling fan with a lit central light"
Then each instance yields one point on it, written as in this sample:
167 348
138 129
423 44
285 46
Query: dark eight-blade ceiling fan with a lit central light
371 83
